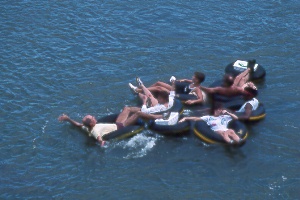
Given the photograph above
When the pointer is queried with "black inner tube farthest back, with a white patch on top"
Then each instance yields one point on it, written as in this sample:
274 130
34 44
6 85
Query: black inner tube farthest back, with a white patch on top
234 68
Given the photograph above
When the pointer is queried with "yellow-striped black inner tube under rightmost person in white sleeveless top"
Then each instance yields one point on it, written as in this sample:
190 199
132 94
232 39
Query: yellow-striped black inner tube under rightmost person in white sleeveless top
256 115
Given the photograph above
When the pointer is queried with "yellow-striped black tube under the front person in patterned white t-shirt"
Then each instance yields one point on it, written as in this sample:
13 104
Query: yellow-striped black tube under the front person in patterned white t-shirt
204 132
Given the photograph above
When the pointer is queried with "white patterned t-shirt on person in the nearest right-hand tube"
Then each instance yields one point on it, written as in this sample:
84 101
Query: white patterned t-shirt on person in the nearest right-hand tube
219 123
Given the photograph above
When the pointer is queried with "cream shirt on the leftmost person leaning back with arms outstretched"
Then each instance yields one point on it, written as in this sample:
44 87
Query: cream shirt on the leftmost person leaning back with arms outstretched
100 130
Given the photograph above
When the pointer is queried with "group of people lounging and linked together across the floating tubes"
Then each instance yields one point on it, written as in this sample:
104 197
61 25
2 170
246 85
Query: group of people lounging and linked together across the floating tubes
160 96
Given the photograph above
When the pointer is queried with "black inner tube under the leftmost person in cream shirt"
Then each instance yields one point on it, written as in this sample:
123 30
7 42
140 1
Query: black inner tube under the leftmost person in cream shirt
125 132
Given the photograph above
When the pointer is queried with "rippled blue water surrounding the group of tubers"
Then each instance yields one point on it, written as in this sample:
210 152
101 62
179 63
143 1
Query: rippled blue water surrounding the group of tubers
77 58
